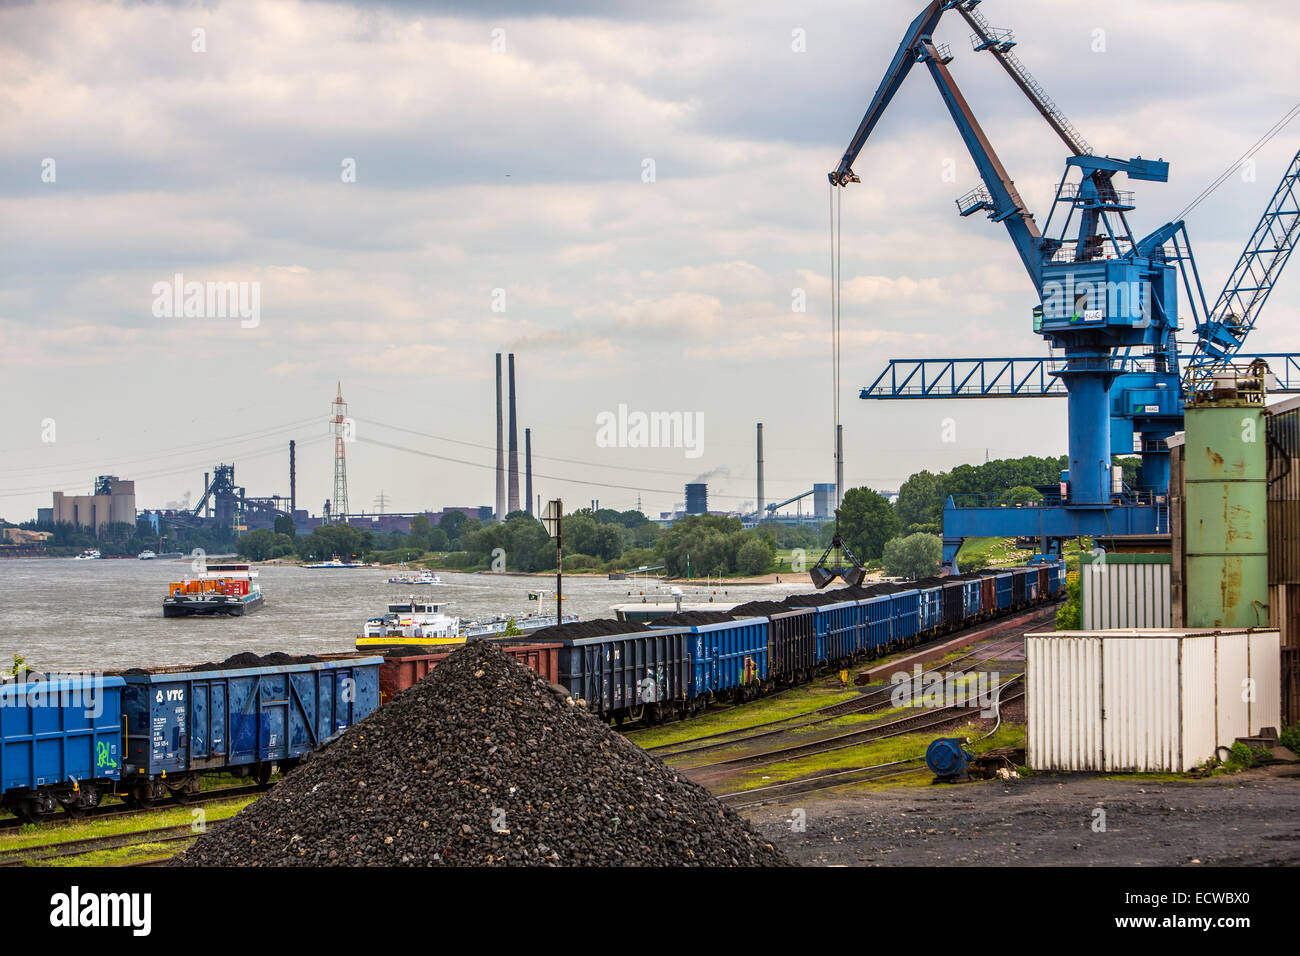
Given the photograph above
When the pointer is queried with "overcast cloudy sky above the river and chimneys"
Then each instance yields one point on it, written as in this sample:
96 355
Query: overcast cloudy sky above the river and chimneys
505 148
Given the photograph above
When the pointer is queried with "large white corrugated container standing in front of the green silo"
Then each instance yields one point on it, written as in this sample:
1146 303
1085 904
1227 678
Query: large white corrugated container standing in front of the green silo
1147 700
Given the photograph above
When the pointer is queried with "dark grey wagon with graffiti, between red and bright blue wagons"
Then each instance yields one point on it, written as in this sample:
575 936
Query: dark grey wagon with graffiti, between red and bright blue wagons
630 676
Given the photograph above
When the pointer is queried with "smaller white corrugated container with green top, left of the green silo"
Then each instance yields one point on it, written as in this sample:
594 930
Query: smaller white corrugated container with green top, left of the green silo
1125 591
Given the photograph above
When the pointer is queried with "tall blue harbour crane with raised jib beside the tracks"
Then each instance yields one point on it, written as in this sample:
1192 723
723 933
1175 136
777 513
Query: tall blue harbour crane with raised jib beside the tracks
1110 308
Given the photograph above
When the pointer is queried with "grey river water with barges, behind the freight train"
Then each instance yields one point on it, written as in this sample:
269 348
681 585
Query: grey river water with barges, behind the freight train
67 615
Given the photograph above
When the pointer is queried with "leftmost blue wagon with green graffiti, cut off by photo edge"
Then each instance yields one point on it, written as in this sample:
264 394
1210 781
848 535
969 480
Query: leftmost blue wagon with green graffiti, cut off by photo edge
60 743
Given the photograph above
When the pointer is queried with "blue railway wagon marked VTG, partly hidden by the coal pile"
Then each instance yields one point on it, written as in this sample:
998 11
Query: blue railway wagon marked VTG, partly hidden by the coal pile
183 723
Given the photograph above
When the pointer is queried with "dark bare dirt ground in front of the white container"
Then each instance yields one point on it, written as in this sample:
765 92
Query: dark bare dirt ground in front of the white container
1242 820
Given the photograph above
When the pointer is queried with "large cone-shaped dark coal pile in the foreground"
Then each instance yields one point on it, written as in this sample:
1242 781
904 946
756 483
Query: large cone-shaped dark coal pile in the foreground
482 764
